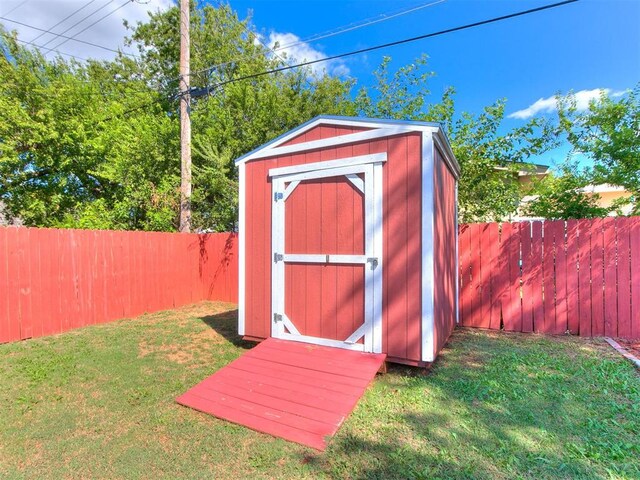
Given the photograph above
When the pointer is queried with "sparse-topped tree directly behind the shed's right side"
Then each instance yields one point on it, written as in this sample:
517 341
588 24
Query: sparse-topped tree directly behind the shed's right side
489 160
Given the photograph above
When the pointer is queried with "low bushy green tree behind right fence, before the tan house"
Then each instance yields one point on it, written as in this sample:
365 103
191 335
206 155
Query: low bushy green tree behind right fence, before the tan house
562 196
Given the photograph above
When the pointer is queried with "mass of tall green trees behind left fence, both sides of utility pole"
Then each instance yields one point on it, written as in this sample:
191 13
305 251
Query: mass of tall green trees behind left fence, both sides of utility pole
95 145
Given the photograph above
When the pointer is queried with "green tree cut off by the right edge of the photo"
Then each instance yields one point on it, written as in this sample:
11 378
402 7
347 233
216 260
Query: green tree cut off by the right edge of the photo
608 134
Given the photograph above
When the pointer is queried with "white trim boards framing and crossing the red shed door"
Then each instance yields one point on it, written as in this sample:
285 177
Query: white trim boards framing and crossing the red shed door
365 175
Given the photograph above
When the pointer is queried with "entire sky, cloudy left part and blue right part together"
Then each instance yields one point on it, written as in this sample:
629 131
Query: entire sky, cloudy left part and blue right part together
584 46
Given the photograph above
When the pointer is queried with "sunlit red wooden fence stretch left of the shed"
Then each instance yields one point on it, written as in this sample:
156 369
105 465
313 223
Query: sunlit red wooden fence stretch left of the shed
54 280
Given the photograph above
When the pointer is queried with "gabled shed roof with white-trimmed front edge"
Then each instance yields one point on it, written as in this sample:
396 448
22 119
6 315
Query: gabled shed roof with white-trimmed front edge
390 127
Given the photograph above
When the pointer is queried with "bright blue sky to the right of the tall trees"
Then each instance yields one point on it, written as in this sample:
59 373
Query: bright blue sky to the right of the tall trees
588 45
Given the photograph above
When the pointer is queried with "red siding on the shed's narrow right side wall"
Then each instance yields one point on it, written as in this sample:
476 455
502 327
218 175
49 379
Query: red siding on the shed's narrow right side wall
445 238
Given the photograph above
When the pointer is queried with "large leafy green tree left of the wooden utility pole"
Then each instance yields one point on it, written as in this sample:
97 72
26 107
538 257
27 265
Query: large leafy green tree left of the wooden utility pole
74 150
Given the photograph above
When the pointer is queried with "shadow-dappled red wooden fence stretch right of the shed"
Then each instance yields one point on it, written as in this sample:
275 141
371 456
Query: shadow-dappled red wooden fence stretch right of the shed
578 276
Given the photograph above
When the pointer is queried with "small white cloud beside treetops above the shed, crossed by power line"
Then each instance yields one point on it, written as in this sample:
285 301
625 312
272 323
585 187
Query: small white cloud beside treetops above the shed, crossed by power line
289 46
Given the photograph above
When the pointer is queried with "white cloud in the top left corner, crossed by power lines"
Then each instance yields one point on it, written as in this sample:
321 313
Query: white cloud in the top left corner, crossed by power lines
109 32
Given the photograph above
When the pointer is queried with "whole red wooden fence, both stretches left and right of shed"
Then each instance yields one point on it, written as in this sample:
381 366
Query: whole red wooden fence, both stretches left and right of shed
579 276
